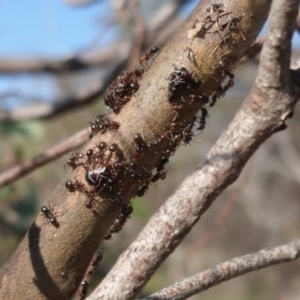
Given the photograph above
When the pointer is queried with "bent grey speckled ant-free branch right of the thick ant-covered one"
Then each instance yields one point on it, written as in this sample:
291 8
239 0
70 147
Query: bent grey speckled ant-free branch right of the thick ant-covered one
264 112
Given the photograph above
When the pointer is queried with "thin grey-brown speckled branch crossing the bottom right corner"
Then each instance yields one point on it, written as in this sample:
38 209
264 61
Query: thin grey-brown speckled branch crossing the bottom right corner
238 266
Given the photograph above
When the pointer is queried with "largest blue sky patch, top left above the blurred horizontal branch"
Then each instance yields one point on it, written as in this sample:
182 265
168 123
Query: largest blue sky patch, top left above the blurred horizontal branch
48 28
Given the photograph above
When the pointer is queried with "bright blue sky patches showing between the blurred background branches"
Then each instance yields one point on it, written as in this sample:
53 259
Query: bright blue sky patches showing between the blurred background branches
53 29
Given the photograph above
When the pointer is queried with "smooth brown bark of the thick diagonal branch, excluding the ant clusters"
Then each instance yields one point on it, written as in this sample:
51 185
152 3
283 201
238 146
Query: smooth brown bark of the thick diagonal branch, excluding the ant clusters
50 262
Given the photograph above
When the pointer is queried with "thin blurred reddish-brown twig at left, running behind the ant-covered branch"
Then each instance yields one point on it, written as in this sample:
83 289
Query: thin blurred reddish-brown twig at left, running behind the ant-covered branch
50 154
